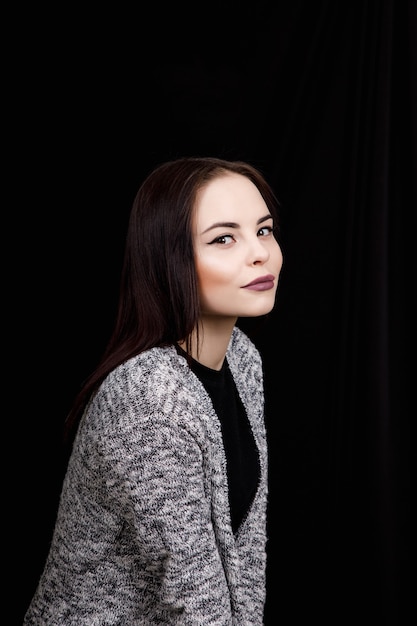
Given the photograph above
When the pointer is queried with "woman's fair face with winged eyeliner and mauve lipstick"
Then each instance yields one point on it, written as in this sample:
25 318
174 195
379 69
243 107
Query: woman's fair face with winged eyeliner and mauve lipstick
238 259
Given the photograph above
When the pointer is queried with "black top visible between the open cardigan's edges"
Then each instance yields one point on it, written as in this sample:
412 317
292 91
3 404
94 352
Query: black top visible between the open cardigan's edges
241 453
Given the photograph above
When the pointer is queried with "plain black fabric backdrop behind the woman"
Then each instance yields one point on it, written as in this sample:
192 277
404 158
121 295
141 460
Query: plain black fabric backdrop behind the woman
321 96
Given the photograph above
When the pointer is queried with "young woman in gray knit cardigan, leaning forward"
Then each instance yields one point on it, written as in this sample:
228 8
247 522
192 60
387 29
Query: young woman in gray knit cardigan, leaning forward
162 516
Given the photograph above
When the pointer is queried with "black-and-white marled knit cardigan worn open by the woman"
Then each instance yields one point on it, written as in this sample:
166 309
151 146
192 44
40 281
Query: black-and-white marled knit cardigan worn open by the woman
143 533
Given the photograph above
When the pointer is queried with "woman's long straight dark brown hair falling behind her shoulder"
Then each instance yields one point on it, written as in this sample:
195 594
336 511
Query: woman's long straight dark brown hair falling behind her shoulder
158 299
